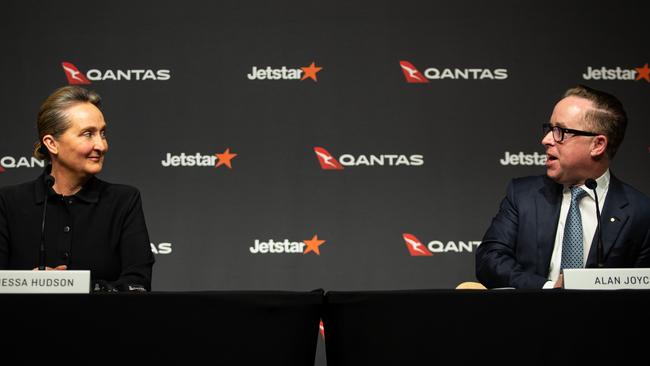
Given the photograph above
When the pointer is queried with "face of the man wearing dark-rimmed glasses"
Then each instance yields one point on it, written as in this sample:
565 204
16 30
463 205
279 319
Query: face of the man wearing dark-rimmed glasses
569 161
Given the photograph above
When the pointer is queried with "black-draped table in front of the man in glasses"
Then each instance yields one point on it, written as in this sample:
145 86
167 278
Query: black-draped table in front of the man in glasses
497 327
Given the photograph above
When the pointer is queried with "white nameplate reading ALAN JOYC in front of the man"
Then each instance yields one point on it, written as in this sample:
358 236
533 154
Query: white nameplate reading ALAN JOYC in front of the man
607 278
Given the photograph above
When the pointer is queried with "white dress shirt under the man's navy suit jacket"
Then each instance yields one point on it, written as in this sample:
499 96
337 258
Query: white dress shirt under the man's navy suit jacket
587 206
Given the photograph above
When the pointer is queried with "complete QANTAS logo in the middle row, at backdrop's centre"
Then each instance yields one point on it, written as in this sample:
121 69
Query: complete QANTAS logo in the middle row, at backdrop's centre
328 162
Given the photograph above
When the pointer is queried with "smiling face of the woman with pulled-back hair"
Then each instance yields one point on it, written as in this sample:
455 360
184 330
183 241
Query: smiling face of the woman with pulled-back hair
81 148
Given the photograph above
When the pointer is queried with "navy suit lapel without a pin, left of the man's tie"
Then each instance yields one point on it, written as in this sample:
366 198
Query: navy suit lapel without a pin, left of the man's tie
548 204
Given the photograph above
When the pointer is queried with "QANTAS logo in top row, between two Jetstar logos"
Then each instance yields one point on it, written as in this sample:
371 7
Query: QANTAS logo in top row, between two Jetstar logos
414 76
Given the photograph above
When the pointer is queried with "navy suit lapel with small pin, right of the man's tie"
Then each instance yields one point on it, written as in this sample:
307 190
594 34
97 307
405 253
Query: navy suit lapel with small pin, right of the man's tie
612 220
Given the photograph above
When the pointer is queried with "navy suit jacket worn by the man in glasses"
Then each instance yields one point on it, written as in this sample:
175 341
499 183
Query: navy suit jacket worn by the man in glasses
516 250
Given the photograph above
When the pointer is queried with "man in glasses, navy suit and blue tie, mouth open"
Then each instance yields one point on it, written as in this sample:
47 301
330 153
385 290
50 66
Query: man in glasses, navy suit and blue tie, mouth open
548 223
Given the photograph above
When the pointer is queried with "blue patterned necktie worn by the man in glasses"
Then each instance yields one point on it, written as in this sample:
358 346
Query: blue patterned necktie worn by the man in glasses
572 245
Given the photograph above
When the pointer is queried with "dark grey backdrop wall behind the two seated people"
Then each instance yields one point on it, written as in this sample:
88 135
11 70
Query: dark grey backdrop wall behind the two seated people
360 105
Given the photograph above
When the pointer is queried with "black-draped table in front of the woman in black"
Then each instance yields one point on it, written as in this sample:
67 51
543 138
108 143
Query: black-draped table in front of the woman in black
185 328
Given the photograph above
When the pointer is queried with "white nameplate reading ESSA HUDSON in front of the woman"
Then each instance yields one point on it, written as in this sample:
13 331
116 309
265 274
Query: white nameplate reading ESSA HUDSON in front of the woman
44 282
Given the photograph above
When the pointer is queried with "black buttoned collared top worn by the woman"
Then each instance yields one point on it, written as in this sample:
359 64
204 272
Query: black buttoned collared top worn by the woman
101 229
